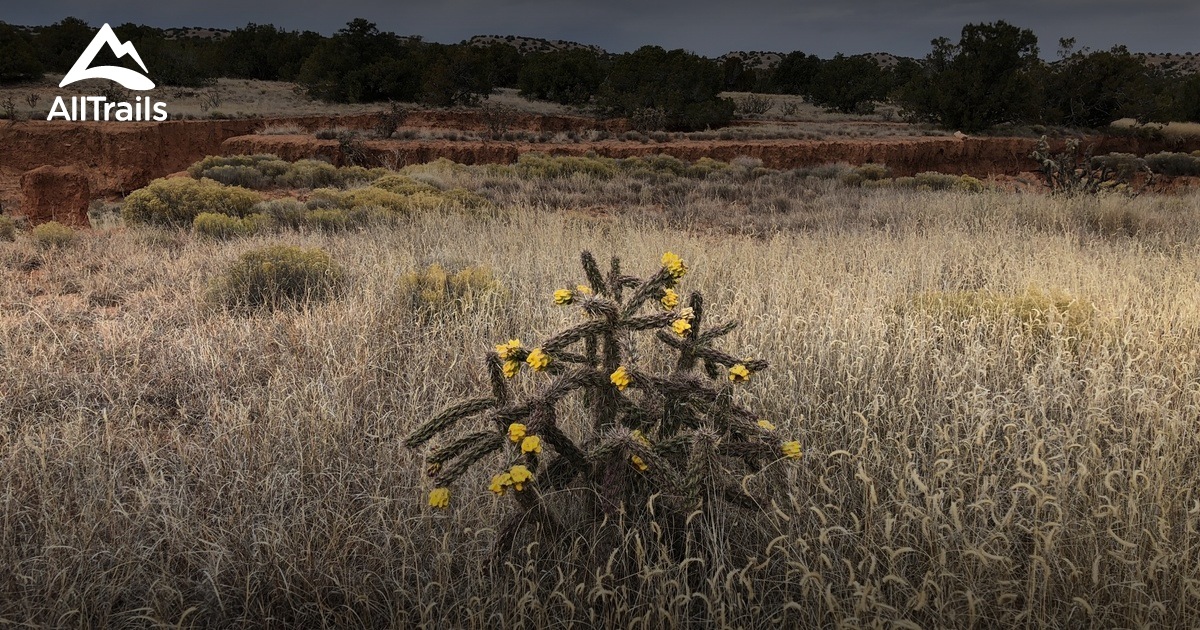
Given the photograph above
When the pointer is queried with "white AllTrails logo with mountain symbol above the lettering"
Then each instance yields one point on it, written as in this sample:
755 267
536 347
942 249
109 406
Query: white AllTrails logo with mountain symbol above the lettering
142 110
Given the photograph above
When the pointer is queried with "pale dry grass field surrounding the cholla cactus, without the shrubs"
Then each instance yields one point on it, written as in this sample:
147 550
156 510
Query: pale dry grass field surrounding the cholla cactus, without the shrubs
163 463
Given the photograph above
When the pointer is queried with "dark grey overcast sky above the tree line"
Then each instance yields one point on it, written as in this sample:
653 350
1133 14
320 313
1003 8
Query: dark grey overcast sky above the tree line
706 27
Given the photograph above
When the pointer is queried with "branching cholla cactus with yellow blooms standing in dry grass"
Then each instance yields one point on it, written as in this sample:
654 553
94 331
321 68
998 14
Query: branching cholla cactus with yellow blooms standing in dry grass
681 435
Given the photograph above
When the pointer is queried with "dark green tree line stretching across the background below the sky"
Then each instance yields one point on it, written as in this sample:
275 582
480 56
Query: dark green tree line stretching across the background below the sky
992 76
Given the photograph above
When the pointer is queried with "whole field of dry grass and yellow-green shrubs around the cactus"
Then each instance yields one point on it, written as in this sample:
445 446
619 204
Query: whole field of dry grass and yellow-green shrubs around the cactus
994 397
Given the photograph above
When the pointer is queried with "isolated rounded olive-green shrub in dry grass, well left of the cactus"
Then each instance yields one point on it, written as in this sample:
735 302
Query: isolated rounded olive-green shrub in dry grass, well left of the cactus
278 277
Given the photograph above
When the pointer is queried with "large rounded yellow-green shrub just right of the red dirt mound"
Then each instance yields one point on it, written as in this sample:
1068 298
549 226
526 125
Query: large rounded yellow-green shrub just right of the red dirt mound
178 201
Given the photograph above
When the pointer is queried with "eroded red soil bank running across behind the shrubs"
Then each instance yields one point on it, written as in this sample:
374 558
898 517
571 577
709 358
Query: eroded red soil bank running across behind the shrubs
121 158
